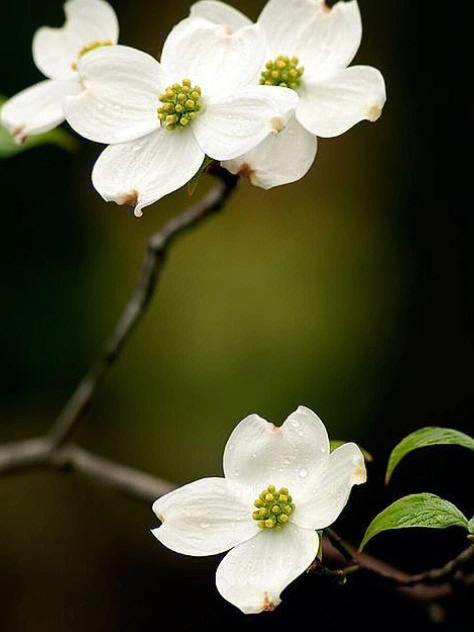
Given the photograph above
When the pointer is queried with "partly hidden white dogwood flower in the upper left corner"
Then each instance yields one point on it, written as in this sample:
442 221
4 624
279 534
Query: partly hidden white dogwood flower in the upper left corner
56 51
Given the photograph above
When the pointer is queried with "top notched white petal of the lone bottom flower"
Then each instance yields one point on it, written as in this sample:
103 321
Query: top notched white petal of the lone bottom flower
258 453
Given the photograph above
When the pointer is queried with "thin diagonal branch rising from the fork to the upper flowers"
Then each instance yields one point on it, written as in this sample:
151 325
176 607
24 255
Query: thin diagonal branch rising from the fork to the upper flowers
158 246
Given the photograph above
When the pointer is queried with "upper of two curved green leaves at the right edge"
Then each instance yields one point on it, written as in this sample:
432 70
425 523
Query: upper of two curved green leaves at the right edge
423 438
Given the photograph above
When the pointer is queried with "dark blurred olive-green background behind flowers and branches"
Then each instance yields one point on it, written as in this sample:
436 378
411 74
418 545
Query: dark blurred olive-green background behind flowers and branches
349 292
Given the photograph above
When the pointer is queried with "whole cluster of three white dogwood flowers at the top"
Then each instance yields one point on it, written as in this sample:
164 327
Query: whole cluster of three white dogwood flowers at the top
253 96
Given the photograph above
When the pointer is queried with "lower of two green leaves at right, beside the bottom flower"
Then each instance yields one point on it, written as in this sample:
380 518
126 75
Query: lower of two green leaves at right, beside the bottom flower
418 510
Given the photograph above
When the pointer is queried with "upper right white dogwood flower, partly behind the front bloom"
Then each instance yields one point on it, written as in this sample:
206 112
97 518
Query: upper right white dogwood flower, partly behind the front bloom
309 47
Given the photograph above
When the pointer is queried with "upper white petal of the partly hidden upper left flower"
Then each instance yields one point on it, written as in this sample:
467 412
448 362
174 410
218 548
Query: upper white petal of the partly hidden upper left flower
56 50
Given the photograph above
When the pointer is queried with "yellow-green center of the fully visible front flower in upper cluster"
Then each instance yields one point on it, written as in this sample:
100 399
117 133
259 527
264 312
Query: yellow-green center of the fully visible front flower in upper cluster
181 104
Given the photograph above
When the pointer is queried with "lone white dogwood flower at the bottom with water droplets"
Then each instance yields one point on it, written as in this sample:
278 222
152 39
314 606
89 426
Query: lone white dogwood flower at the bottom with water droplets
280 486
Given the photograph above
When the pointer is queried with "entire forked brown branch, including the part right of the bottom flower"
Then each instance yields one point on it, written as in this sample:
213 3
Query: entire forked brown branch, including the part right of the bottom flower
54 452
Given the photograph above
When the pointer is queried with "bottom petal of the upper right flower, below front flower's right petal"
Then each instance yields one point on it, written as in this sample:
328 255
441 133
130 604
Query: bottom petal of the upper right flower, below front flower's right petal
279 159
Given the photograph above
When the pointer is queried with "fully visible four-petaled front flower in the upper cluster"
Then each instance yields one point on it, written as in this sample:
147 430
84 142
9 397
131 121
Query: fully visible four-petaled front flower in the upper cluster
161 119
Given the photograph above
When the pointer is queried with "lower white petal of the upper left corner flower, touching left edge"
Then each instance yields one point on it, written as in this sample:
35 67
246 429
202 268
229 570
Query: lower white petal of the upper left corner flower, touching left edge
38 108
